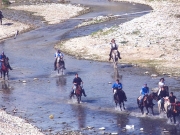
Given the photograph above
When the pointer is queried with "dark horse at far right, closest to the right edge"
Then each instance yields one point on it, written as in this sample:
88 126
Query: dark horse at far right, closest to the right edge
173 110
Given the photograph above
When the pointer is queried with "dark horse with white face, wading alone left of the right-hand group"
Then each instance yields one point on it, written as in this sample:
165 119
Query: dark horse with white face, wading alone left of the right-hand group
119 97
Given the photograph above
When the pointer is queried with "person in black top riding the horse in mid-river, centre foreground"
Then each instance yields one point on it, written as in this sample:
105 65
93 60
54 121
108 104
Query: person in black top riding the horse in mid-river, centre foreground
77 81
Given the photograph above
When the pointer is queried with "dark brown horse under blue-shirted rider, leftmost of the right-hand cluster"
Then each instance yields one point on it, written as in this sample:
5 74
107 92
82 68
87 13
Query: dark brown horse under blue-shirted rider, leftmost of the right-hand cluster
147 102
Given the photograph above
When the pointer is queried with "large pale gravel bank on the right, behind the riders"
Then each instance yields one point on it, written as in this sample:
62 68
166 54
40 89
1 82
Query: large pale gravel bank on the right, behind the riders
151 40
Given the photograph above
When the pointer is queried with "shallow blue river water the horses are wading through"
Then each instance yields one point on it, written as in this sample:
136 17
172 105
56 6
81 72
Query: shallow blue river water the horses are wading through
31 56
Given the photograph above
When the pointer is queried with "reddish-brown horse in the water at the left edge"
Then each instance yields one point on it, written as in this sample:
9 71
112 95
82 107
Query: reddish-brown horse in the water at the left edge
5 67
